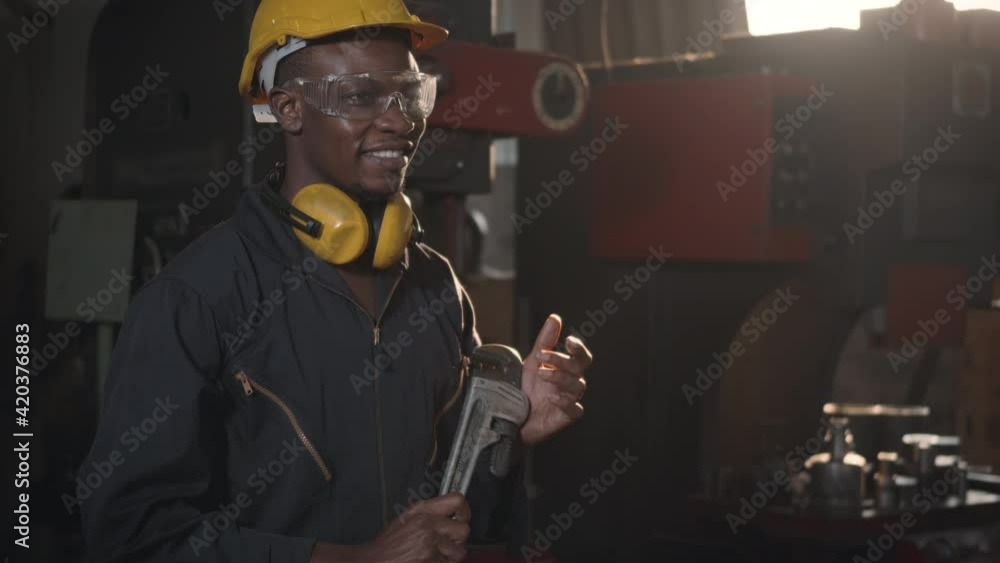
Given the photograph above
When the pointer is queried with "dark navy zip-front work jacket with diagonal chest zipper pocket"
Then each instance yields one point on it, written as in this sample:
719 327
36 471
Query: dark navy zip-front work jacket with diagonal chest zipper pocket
254 407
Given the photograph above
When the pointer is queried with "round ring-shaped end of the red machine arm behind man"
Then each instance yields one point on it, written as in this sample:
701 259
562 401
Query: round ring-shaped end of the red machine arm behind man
560 95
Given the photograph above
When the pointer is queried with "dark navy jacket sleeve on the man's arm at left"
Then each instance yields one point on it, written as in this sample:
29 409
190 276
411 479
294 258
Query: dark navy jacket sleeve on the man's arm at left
156 472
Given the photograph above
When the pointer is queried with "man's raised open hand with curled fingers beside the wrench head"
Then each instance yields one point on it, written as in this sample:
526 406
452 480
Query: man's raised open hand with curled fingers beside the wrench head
553 382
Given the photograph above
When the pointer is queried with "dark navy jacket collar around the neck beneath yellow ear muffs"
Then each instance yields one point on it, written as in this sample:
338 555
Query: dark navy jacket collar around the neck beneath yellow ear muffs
262 228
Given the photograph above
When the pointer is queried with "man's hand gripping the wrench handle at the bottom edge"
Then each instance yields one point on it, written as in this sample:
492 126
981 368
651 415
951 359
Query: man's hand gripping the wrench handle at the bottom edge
425 533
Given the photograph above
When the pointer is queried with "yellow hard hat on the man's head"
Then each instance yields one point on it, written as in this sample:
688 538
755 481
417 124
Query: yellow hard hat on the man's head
278 20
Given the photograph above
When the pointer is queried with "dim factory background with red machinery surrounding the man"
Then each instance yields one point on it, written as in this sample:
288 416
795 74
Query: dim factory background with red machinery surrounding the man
774 222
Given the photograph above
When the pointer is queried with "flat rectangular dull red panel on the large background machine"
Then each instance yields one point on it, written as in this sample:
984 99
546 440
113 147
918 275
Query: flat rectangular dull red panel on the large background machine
708 174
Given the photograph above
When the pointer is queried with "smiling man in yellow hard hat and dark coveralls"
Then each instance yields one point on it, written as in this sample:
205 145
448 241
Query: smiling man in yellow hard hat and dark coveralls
272 400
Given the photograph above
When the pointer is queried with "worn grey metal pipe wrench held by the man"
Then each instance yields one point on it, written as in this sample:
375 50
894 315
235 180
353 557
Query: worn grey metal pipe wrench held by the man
492 415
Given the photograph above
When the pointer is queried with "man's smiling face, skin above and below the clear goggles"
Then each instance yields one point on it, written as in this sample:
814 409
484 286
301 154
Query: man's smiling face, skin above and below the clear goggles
367 158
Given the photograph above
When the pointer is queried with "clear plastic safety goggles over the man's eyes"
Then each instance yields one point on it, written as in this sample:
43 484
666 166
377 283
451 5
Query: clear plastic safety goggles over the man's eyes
368 95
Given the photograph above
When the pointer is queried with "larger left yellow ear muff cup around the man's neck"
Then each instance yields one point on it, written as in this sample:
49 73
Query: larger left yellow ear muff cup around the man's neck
345 228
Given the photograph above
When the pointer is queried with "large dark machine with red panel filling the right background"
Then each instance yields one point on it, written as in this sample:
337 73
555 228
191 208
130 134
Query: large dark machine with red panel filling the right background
855 118
